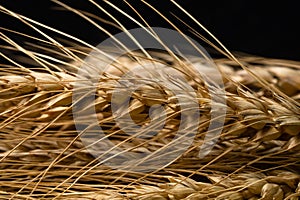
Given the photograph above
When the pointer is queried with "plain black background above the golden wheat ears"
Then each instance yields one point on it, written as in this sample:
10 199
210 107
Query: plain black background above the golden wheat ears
270 29
